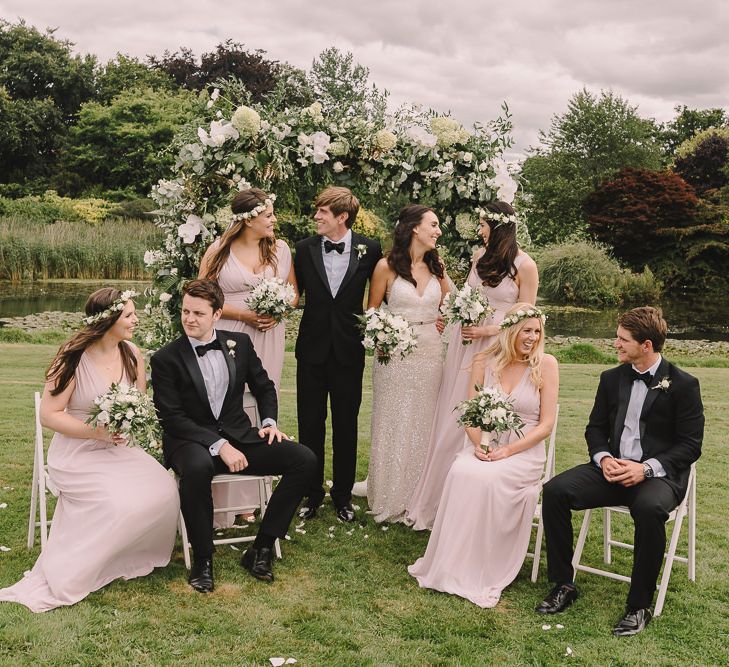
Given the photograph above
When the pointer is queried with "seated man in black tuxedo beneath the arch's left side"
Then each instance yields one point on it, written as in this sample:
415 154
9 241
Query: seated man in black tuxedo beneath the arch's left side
198 383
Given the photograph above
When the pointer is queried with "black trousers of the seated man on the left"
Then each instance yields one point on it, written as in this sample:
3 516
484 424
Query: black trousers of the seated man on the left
196 467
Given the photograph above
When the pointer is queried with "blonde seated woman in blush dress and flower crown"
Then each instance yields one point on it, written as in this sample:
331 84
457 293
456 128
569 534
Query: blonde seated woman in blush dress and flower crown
481 531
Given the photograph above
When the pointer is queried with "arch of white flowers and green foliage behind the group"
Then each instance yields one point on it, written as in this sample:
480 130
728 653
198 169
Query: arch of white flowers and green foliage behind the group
411 156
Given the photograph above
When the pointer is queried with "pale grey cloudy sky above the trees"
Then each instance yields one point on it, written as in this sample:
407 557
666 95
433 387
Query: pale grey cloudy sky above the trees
465 56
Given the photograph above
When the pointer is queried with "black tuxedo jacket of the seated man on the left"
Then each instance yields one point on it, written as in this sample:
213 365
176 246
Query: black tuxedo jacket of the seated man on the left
181 398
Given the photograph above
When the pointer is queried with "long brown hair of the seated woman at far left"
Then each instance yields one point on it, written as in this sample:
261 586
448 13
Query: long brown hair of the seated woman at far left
63 366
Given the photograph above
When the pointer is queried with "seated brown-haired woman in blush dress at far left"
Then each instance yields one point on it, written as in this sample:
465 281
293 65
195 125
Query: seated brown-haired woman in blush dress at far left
117 508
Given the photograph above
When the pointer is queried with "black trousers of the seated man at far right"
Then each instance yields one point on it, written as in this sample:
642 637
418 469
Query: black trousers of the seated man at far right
585 487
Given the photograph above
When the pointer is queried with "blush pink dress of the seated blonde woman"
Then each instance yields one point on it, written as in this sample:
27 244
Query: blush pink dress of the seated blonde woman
481 532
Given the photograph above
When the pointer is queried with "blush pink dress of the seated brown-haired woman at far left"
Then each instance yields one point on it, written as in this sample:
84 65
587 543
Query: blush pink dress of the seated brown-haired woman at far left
116 514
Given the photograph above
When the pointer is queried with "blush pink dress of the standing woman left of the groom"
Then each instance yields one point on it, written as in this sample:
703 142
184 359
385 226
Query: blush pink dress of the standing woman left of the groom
237 281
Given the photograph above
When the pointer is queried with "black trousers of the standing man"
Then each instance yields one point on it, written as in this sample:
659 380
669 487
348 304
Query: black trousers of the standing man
343 386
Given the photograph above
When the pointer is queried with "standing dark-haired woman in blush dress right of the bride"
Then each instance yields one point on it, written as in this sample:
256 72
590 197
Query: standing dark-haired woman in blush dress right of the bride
505 275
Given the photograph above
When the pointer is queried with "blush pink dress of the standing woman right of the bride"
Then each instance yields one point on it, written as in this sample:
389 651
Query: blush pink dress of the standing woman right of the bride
446 438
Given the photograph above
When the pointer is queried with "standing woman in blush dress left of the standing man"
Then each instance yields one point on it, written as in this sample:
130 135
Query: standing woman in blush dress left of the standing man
246 253
